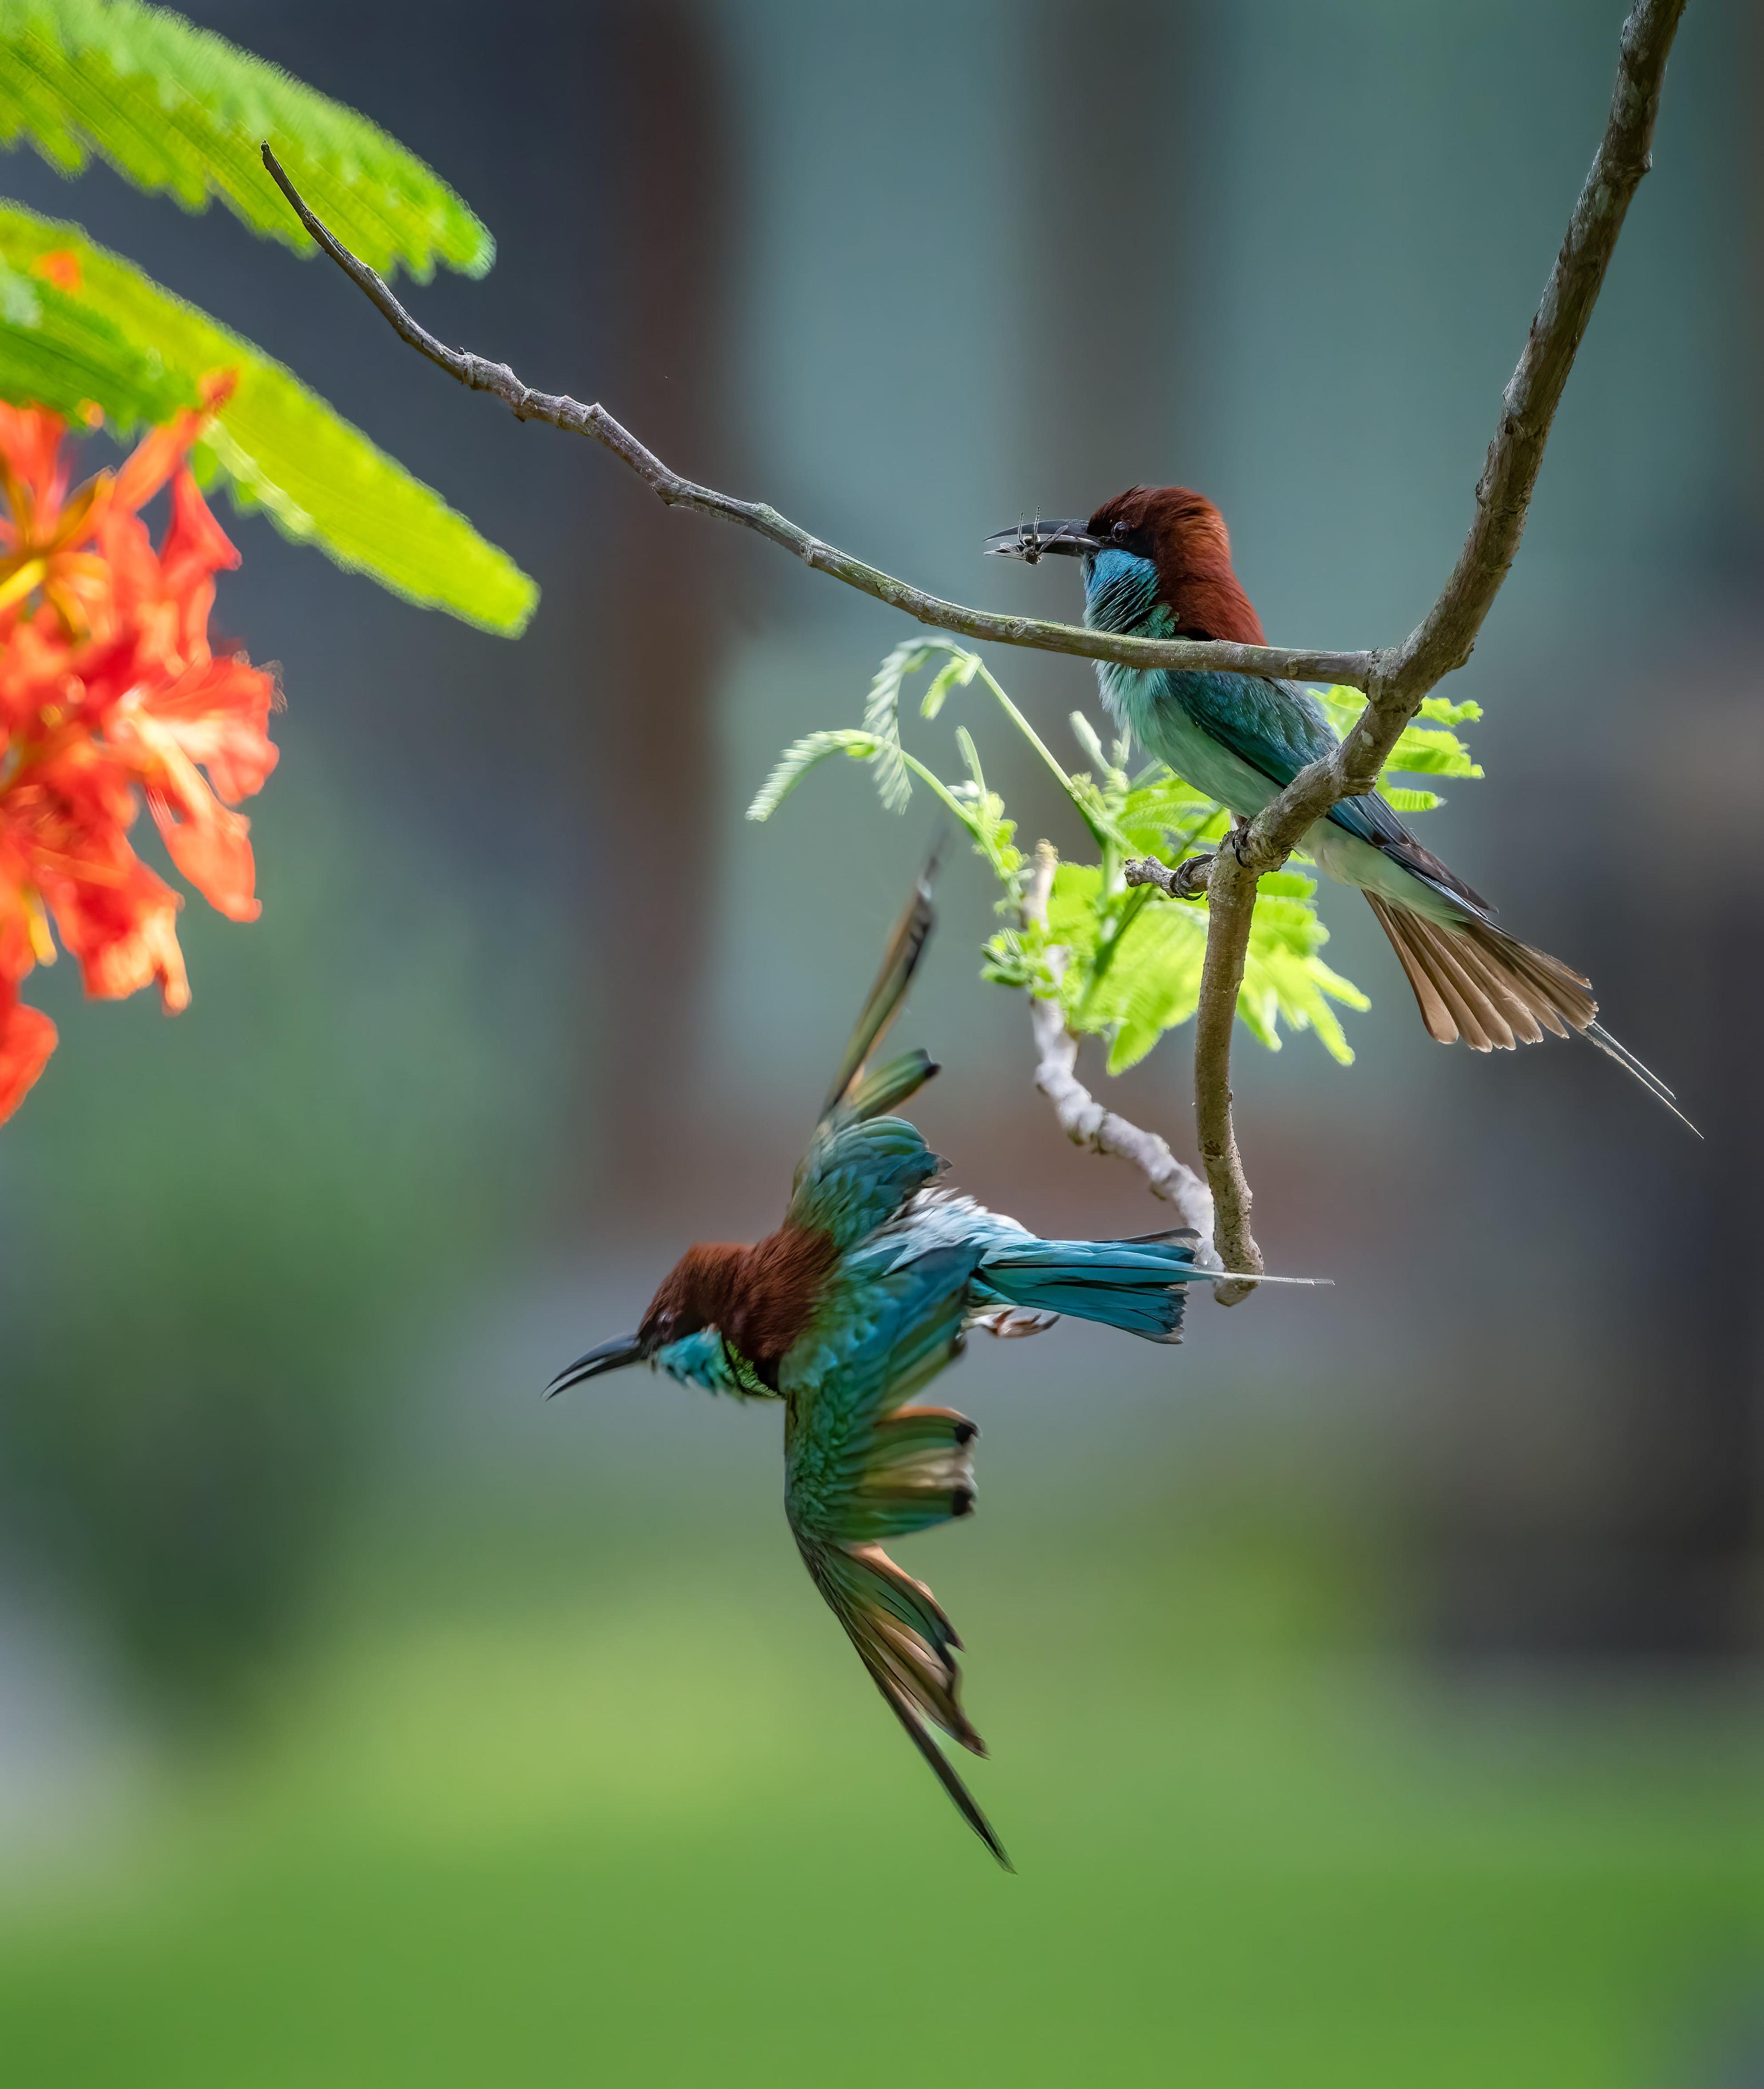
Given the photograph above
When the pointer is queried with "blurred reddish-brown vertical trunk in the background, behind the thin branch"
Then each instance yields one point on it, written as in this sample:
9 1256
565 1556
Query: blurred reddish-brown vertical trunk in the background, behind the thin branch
646 749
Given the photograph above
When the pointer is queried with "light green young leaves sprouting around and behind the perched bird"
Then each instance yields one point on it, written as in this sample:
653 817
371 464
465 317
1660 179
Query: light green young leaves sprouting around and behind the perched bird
1133 958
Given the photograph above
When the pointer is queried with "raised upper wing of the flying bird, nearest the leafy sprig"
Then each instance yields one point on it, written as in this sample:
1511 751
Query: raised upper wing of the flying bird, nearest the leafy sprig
863 1165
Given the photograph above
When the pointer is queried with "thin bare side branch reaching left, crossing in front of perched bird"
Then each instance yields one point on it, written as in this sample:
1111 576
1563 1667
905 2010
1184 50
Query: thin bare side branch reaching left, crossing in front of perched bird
477 373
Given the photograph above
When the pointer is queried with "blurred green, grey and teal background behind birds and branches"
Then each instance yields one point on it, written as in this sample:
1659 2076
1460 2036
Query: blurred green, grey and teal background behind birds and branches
1373 1683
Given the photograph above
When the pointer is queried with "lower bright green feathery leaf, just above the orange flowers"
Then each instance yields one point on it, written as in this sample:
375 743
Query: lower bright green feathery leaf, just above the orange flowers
277 444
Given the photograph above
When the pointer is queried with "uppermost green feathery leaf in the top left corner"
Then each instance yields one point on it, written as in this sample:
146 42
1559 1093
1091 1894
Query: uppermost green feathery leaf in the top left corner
181 112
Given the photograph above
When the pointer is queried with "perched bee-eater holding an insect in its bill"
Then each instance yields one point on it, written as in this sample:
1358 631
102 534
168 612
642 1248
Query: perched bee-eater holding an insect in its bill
1158 563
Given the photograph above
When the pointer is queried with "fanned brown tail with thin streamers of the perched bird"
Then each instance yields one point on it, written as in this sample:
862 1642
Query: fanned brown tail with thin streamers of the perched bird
1477 983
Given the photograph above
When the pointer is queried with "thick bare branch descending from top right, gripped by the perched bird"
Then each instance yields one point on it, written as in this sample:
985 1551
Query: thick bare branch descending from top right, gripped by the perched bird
1448 634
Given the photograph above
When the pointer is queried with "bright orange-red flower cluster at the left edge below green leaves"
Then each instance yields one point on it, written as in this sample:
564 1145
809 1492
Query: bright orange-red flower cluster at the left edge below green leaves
110 695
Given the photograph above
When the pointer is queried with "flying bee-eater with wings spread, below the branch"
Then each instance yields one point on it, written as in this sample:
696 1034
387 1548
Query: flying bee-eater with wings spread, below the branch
851 1309
